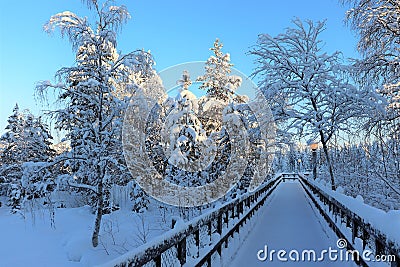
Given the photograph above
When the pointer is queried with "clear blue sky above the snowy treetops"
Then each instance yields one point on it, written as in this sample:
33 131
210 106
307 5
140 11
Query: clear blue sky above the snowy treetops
174 31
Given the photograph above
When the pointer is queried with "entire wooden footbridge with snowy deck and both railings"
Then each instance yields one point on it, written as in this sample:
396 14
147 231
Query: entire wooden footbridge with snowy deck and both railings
288 212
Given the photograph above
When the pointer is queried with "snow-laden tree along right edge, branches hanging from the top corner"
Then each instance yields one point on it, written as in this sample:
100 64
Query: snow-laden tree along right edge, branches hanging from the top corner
377 24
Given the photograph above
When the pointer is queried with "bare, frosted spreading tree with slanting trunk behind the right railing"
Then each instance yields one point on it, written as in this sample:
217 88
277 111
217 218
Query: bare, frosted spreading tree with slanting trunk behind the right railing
306 90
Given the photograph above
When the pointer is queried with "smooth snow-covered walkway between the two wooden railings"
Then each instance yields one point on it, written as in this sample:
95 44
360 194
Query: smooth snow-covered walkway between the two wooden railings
288 222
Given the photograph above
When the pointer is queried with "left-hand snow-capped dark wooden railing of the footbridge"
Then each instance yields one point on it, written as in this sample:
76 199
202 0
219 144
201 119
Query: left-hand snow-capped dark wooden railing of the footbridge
199 241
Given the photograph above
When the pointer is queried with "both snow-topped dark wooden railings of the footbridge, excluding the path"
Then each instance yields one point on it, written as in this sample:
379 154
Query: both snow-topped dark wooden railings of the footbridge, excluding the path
198 241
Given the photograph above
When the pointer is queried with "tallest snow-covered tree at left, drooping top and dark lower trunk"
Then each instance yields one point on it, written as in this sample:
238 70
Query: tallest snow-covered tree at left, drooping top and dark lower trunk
93 113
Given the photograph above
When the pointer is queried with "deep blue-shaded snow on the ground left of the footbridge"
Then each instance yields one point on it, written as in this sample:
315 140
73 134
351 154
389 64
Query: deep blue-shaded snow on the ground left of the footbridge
31 241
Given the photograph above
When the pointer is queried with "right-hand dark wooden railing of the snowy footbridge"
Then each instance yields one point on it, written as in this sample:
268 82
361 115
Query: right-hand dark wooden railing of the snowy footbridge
335 213
